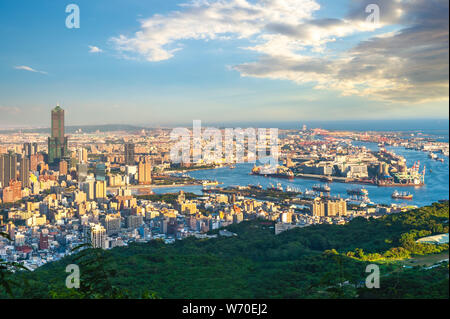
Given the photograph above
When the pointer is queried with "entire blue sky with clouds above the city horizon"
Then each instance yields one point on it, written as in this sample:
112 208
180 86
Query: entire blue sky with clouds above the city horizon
164 62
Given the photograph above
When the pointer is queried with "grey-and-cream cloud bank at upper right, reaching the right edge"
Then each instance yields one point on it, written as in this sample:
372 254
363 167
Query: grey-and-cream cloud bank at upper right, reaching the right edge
409 65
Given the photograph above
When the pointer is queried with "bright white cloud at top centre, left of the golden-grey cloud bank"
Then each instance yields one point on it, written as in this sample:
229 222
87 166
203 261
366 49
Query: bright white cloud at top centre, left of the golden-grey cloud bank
208 20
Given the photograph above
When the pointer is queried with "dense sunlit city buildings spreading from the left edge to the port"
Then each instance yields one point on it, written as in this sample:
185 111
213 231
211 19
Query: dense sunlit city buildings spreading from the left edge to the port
58 192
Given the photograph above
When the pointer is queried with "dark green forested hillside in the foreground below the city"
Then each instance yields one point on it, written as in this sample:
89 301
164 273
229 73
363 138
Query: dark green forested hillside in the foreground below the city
309 262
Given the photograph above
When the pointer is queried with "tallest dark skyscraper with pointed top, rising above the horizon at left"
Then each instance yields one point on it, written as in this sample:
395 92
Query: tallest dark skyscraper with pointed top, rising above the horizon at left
57 143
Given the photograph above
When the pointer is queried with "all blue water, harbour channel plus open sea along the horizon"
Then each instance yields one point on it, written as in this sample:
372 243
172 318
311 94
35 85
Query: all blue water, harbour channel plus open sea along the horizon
436 177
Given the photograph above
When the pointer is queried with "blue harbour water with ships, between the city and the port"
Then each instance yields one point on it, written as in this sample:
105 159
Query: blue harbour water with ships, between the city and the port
436 180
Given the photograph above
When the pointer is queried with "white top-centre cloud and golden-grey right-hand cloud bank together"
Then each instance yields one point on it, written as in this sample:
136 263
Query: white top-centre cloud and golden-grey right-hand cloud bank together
409 65
